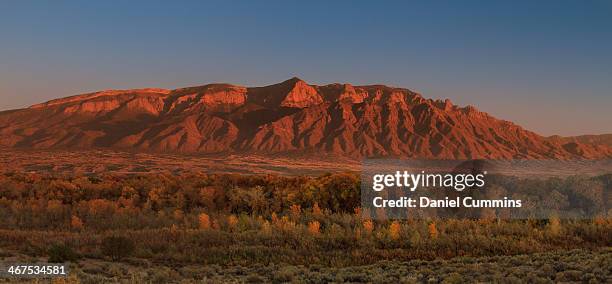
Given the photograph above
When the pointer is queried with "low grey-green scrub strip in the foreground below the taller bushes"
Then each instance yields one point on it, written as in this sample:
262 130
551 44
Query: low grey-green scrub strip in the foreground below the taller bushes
573 266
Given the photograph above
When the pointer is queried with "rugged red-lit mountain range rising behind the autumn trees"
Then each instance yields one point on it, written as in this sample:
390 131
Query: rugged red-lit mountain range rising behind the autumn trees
289 118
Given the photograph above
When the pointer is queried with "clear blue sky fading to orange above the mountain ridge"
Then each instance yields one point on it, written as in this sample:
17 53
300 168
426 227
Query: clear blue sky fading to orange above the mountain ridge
545 65
